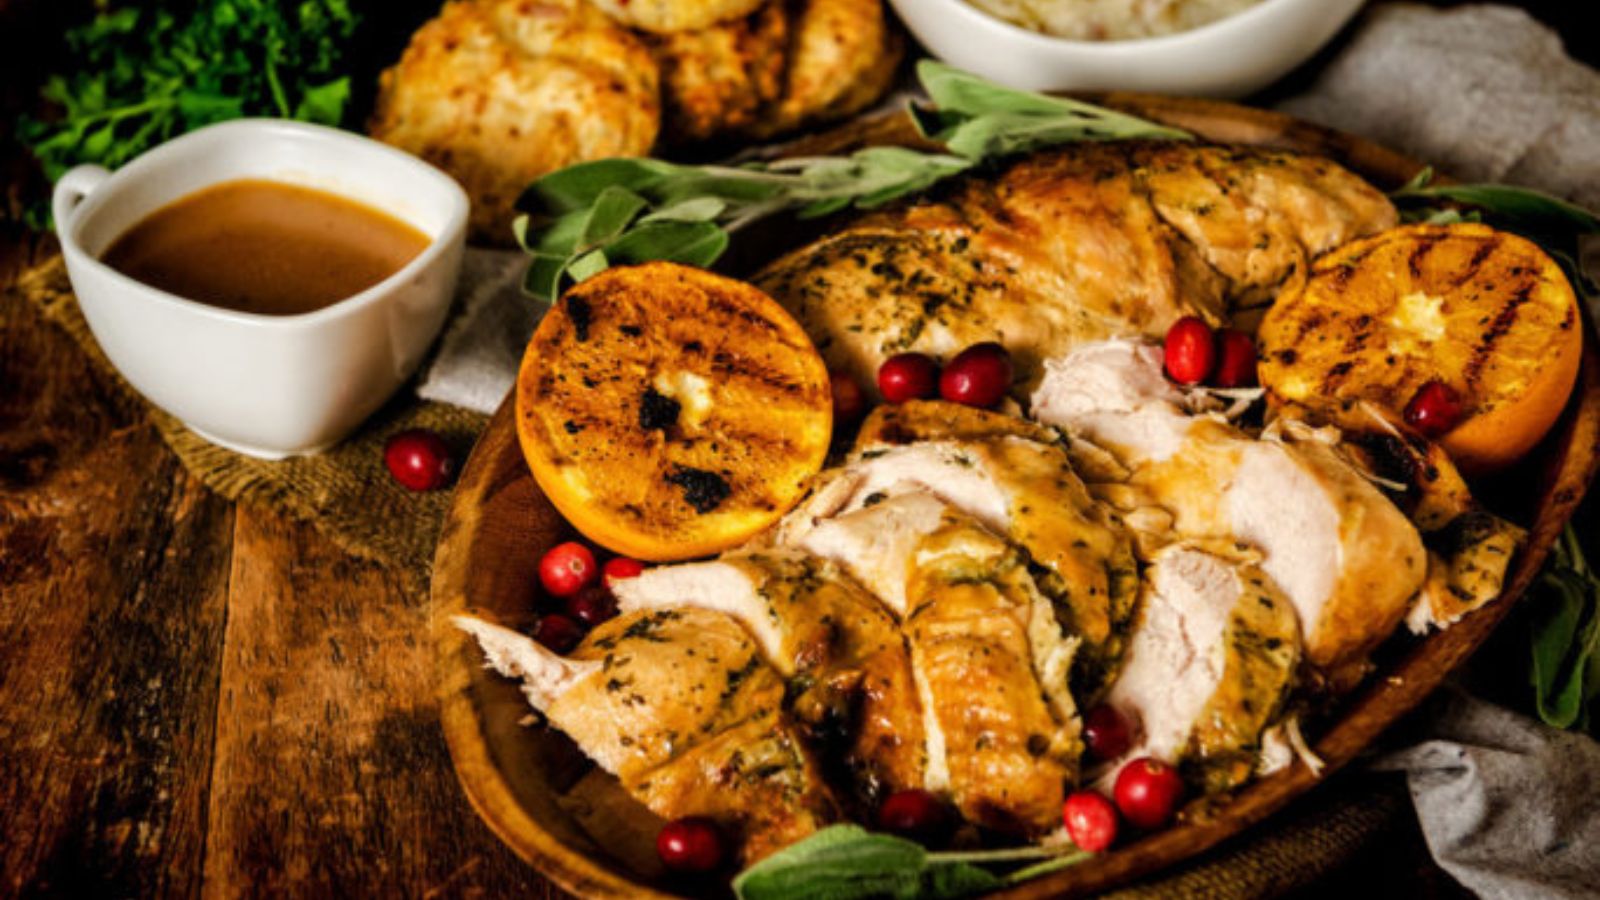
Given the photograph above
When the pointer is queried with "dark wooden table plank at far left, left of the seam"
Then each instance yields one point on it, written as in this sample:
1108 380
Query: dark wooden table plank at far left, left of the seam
113 584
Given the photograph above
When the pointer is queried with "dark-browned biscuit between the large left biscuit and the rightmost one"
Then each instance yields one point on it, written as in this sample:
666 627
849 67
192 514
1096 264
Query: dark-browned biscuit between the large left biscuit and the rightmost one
718 81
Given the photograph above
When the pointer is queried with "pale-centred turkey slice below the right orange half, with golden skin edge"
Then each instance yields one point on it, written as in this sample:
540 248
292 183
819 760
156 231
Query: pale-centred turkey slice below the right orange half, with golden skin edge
1345 555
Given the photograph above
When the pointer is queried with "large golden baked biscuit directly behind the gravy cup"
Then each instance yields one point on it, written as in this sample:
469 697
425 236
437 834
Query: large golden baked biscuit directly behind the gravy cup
502 92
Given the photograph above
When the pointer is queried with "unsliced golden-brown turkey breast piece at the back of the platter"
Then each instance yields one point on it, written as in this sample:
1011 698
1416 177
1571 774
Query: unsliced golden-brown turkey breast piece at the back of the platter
1073 246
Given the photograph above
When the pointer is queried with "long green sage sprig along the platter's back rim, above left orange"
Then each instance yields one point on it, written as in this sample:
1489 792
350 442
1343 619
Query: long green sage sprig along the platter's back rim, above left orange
585 219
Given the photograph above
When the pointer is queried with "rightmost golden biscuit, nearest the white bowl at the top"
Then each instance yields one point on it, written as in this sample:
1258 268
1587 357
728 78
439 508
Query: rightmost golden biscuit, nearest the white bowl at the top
842 57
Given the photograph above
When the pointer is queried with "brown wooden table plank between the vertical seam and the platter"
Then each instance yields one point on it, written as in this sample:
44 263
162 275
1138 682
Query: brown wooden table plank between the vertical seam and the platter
332 776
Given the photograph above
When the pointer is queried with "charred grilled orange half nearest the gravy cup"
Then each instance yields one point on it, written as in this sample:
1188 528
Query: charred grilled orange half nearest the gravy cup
670 412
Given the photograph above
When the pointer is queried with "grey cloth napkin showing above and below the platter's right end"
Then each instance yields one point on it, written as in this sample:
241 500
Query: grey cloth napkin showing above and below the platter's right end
1508 806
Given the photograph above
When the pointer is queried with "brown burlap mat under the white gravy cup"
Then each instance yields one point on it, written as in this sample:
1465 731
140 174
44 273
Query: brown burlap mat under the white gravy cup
346 491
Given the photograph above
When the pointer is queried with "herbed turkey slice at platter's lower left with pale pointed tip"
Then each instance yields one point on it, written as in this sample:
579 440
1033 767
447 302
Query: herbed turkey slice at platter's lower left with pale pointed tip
686 712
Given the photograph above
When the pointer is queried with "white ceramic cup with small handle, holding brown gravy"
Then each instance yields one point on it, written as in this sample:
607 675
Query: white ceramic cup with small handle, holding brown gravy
265 385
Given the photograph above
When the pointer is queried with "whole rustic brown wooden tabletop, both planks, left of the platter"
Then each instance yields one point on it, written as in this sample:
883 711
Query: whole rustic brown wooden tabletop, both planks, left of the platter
204 699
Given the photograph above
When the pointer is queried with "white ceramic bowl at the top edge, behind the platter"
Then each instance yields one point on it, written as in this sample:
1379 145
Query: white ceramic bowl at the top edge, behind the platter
1228 58
